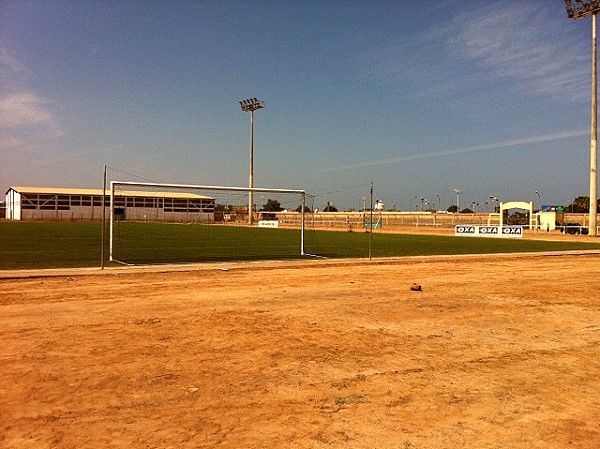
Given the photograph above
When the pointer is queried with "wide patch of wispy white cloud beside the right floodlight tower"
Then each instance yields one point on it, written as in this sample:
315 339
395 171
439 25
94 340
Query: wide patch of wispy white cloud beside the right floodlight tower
519 48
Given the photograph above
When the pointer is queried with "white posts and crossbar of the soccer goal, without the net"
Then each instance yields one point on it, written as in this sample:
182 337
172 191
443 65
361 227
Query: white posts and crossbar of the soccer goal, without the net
113 184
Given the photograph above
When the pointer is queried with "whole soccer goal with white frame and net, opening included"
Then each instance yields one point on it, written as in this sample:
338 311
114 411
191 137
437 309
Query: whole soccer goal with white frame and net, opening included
151 223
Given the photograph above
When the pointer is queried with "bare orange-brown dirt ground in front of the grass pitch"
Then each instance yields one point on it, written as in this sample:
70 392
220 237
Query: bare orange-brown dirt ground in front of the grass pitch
493 352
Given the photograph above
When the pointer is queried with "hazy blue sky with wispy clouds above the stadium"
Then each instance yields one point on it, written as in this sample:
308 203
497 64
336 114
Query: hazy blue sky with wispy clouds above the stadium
418 98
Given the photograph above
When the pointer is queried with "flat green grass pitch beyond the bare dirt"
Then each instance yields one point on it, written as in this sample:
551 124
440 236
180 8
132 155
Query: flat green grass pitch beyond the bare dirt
56 245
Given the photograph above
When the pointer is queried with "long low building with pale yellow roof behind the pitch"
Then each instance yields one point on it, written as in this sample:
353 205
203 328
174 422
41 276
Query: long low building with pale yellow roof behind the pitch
60 204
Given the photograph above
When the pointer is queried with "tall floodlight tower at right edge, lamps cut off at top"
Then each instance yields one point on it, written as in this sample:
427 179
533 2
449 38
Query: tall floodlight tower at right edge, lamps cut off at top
576 10
